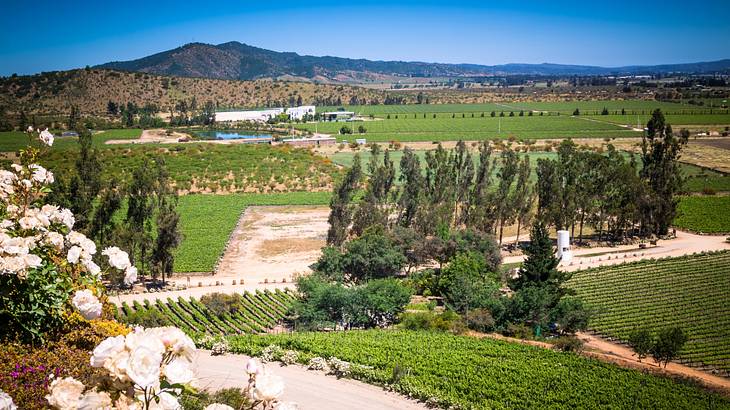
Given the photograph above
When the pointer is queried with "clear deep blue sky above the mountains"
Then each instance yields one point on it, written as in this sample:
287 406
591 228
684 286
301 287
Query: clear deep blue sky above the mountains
62 34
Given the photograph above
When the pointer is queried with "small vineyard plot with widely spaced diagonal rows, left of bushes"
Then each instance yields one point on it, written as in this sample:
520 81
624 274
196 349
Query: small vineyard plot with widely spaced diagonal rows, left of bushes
256 313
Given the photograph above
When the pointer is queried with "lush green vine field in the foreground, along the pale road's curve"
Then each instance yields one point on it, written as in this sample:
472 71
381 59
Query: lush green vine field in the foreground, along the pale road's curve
469 373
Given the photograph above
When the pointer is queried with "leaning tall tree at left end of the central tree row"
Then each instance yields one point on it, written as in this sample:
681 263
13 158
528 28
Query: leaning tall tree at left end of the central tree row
340 209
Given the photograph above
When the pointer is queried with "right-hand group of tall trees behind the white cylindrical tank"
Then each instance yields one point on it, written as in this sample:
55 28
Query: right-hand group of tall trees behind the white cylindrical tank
616 195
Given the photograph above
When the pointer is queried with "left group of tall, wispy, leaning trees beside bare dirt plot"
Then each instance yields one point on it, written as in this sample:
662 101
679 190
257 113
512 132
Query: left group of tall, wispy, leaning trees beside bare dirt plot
450 190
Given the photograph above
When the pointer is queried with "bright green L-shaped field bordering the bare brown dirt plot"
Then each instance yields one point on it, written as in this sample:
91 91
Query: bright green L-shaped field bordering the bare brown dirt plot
206 222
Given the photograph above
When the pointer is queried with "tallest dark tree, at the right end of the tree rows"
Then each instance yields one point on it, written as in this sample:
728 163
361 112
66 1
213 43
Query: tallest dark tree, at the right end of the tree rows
661 171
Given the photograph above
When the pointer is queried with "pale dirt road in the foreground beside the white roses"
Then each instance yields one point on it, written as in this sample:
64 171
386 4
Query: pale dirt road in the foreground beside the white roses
309 389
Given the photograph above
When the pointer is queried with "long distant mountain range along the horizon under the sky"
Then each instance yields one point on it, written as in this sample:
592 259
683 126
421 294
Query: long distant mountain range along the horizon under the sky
238 61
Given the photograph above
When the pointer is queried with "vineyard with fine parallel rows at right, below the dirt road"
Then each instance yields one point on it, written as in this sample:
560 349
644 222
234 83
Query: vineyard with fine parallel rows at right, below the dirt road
691 292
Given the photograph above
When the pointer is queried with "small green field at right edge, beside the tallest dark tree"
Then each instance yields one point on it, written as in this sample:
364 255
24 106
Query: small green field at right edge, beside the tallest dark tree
706 214
